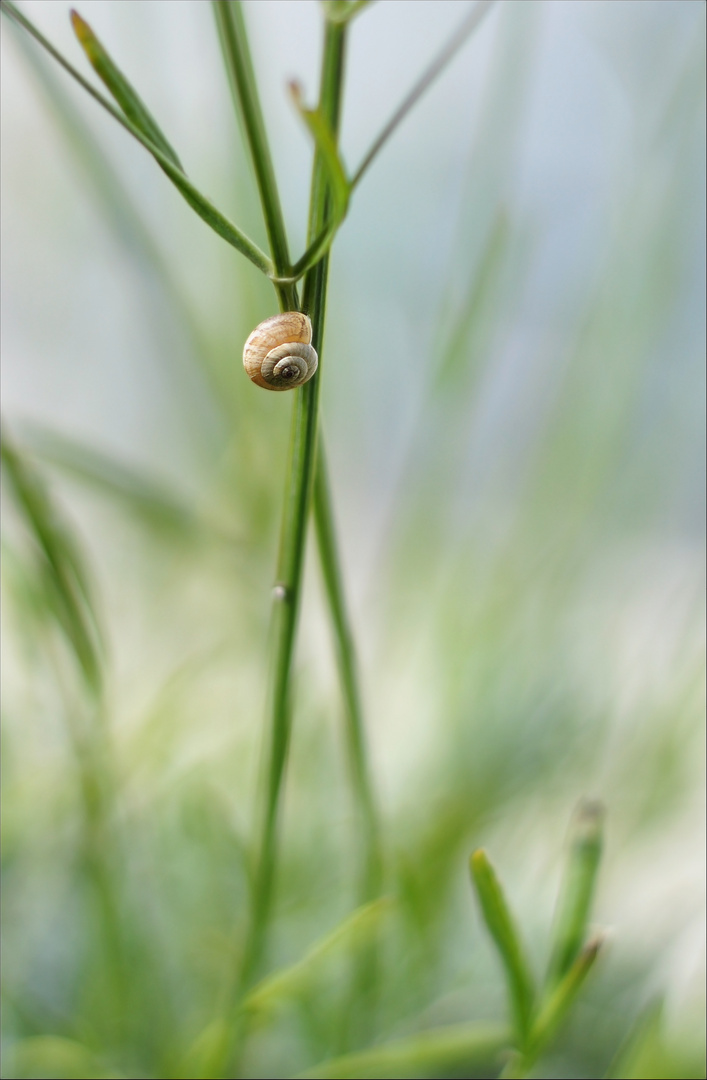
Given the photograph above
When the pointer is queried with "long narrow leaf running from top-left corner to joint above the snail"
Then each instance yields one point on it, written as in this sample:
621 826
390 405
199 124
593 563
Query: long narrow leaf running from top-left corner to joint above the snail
193 196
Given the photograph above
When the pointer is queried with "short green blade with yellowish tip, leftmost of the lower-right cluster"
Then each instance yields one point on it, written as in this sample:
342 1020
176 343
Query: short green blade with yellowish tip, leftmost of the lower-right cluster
501 926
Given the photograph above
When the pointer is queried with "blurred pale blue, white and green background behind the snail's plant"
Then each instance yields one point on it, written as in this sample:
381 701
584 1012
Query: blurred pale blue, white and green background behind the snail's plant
513 406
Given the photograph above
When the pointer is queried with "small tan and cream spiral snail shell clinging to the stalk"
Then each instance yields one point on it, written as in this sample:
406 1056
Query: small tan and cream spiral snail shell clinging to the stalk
278 356
